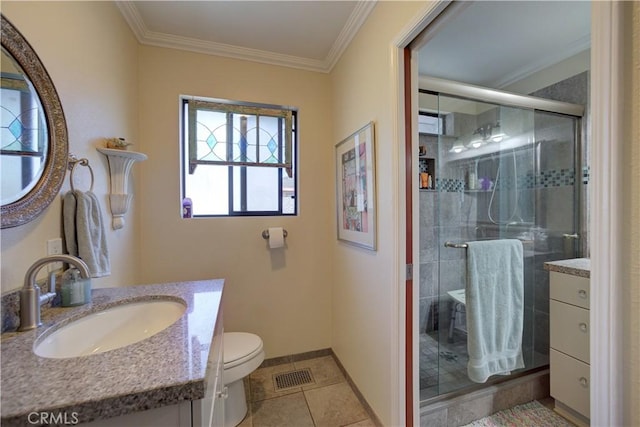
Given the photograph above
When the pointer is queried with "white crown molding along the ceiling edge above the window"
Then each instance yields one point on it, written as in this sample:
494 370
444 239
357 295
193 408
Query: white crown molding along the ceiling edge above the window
152 38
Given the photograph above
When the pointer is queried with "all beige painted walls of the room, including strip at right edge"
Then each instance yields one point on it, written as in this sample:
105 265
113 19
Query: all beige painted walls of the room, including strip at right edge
319 293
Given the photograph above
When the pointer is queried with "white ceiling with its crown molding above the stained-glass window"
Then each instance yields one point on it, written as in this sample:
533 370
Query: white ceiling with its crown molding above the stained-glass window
304 34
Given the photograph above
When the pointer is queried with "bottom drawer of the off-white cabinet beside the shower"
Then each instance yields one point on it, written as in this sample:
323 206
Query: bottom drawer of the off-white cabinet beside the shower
570 382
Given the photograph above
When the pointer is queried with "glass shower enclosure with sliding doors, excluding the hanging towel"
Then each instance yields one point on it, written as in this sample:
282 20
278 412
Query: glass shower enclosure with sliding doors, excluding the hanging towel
491 170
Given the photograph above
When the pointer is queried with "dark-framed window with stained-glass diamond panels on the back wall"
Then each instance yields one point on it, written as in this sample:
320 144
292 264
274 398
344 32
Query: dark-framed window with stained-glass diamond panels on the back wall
239 158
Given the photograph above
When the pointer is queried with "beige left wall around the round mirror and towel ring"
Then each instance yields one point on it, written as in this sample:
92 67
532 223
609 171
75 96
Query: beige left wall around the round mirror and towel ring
90 54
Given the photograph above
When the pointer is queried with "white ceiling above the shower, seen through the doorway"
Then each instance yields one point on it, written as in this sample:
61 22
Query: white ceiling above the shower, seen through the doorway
496 43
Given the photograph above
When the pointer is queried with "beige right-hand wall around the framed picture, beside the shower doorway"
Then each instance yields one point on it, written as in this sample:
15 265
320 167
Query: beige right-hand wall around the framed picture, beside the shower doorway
365 295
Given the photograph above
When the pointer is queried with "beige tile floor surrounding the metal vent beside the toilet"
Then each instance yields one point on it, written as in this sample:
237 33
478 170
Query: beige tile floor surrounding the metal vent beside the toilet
327 402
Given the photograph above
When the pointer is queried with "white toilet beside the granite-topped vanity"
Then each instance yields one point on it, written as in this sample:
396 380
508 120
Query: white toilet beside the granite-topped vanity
243 354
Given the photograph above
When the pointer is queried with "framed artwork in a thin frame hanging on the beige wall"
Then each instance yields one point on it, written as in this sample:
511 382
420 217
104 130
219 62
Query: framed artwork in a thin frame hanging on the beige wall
356 188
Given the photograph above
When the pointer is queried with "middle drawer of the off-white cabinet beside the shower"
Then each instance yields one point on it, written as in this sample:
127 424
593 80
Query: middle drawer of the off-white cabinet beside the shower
570 329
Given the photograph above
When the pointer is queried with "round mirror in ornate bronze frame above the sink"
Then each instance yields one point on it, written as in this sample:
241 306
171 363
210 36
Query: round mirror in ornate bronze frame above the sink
33 131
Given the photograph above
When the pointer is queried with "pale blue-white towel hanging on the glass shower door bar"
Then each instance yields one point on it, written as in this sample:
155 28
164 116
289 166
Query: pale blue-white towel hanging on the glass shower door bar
495 302
